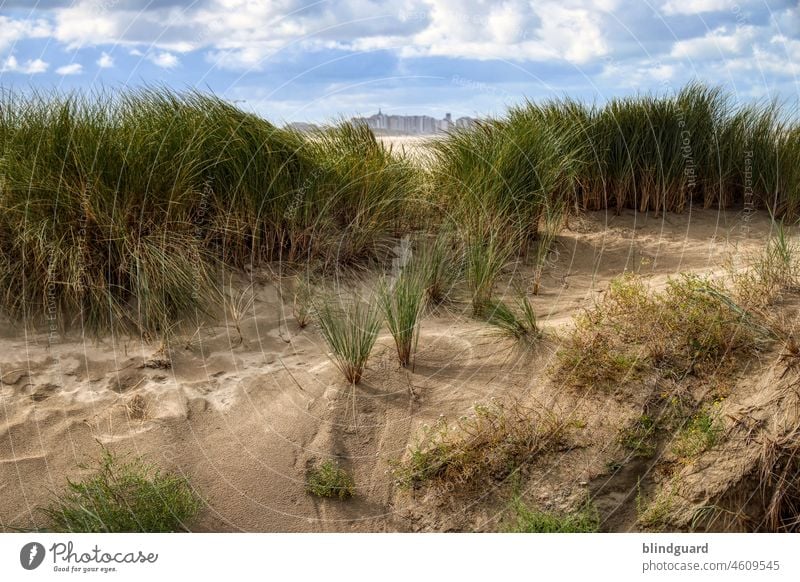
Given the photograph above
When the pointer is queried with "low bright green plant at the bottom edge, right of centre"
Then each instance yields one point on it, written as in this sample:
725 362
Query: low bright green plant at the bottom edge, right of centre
524 519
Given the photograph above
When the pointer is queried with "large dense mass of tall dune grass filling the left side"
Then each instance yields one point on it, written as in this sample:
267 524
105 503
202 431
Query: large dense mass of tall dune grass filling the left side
117 210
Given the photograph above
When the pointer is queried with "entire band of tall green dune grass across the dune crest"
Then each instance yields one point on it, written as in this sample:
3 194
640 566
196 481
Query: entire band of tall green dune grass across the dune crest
119 210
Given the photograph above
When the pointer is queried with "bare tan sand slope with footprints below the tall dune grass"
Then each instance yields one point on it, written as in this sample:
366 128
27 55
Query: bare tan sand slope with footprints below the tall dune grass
244 420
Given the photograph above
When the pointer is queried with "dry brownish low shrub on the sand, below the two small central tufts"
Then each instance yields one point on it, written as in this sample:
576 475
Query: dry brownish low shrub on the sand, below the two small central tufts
492 443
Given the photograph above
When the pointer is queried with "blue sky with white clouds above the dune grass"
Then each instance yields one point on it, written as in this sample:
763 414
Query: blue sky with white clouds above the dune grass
312 61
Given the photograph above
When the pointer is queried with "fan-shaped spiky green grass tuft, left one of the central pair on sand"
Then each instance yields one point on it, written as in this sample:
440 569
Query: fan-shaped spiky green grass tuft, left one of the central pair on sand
350 328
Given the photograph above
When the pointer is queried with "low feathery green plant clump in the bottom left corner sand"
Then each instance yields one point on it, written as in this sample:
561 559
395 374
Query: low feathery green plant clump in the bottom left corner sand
122 496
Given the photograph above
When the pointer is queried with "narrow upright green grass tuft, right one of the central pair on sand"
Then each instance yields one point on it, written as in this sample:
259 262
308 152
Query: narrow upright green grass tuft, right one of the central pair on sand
403 302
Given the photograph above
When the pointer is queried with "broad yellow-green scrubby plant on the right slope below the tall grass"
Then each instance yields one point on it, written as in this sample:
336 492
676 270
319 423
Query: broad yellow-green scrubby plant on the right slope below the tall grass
692 323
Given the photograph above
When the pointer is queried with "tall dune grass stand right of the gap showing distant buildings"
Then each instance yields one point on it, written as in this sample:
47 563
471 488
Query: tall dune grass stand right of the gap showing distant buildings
649 152
